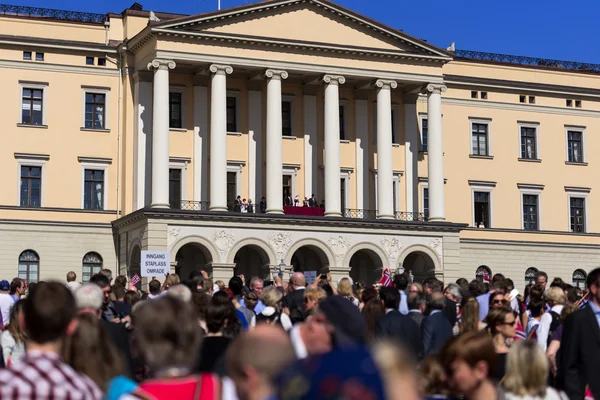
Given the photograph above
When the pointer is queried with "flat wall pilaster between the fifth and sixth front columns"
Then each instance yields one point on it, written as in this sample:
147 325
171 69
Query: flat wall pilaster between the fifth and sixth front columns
411 152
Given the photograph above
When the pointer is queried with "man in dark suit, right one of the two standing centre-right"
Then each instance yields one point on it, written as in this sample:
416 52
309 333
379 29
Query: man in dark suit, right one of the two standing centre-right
436 328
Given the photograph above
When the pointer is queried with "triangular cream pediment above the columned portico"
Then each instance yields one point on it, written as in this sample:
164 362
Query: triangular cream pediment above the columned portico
303 21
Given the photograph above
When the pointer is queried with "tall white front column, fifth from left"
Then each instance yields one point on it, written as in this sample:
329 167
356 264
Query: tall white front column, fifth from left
385 169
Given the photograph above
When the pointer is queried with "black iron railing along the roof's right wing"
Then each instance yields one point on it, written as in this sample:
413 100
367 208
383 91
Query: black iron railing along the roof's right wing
524 60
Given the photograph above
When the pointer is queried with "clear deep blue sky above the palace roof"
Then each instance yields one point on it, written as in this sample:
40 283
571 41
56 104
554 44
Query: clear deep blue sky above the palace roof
566 30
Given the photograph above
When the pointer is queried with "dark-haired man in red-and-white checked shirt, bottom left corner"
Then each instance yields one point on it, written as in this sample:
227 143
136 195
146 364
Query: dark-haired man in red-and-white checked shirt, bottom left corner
48 316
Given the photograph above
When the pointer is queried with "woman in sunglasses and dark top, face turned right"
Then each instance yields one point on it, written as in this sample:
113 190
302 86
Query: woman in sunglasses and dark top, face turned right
502 327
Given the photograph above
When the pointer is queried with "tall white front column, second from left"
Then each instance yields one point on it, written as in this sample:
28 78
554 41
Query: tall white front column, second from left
218 137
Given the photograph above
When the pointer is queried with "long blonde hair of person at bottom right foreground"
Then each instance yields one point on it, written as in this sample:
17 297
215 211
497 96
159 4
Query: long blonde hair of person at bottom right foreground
526 369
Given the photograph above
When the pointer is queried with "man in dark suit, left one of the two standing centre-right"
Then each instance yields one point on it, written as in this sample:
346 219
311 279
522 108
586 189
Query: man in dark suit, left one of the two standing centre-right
394 325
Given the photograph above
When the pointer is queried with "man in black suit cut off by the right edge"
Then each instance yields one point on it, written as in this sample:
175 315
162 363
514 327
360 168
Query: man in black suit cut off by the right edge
579 355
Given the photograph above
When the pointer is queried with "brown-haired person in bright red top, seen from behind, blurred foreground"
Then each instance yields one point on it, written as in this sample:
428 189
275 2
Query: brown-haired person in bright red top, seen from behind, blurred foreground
169 339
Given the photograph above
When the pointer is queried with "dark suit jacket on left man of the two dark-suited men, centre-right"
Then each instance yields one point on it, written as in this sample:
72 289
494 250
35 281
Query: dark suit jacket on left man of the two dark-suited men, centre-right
401 329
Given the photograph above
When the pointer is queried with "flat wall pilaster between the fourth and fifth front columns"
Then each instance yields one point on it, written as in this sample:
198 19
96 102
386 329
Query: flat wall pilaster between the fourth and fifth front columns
362 154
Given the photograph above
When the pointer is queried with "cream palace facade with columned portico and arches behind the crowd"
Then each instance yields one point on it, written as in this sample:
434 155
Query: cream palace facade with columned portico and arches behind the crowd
138 131
